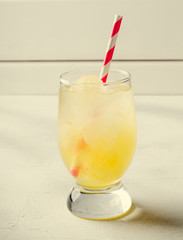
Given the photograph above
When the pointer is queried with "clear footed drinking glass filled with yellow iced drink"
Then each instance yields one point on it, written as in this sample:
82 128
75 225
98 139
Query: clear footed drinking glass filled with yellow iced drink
97 140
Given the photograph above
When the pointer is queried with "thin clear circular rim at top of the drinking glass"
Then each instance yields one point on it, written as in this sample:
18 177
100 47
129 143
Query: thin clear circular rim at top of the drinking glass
124 79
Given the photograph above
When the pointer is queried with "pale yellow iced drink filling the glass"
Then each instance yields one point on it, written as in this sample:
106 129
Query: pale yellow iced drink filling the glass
96 131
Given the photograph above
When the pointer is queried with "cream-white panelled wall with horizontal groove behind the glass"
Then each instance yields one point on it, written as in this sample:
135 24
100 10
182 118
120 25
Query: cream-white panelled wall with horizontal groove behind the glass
41 39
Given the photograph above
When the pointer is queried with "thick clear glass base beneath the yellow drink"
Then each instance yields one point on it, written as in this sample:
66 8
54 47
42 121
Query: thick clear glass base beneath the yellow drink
105 204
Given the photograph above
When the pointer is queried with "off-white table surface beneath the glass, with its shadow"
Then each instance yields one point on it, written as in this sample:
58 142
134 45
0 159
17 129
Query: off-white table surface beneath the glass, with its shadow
34 182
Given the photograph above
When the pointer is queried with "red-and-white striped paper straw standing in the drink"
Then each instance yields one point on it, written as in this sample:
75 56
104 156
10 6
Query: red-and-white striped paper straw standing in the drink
110 48
